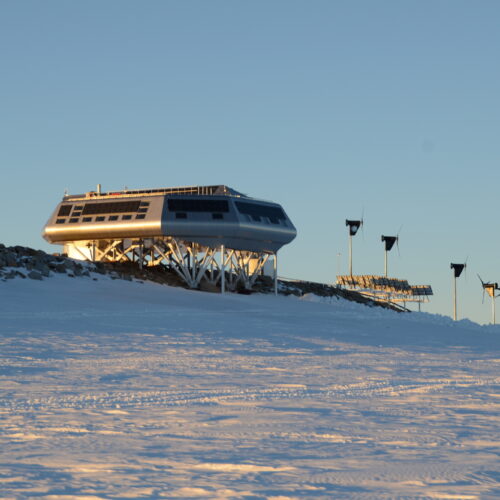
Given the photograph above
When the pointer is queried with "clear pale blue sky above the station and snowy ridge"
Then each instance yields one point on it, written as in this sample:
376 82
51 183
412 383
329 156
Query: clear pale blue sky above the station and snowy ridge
328 107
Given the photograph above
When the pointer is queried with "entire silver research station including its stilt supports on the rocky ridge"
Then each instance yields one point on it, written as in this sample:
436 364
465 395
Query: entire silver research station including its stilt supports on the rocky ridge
202 232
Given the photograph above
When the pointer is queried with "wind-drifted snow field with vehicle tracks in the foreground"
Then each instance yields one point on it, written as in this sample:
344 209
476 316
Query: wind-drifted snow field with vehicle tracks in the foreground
113 389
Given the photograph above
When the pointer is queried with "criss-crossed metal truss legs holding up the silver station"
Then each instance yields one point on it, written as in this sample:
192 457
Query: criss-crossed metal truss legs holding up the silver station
191 261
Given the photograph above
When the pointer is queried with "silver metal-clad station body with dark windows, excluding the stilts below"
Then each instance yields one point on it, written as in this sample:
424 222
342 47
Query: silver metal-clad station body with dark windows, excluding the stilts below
208 215
